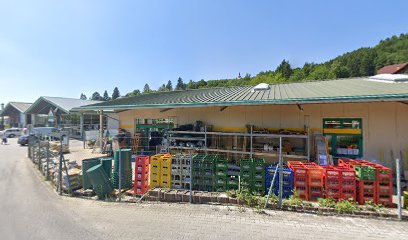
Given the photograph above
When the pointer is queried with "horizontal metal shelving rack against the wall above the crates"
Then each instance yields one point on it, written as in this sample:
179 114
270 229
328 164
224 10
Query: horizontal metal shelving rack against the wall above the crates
251 135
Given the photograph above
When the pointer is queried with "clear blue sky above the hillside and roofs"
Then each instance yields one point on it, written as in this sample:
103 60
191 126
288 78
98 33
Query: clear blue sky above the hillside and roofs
65 48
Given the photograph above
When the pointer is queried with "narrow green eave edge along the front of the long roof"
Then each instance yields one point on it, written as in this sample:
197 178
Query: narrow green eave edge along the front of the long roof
319 100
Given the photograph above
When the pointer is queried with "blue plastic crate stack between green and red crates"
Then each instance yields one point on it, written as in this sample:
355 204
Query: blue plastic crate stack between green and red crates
288 176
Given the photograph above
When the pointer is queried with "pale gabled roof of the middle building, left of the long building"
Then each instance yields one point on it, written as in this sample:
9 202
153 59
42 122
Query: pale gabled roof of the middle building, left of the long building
43 105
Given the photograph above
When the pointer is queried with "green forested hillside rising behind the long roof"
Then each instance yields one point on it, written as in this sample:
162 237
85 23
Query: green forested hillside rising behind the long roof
361 62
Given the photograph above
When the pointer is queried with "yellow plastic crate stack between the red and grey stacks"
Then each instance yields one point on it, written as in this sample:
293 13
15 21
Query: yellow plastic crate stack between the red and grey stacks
160 171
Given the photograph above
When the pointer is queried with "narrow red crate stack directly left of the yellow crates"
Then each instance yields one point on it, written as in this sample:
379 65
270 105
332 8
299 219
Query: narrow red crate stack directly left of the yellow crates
141 184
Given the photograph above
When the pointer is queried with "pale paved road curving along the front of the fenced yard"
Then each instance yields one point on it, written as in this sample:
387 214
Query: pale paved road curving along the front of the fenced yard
30 209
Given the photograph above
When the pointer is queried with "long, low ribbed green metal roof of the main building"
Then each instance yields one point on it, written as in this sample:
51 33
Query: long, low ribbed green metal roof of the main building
340 90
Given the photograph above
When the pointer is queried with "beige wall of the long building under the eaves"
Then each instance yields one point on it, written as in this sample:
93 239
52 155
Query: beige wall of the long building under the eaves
385 124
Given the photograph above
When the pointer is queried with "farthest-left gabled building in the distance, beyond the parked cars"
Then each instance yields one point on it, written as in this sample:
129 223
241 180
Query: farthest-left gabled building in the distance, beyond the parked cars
15 111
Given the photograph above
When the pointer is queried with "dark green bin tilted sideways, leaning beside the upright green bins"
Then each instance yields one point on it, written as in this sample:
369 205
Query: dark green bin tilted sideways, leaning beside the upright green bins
99 180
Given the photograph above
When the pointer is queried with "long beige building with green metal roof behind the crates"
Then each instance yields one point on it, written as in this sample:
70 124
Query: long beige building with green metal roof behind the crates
360 117
